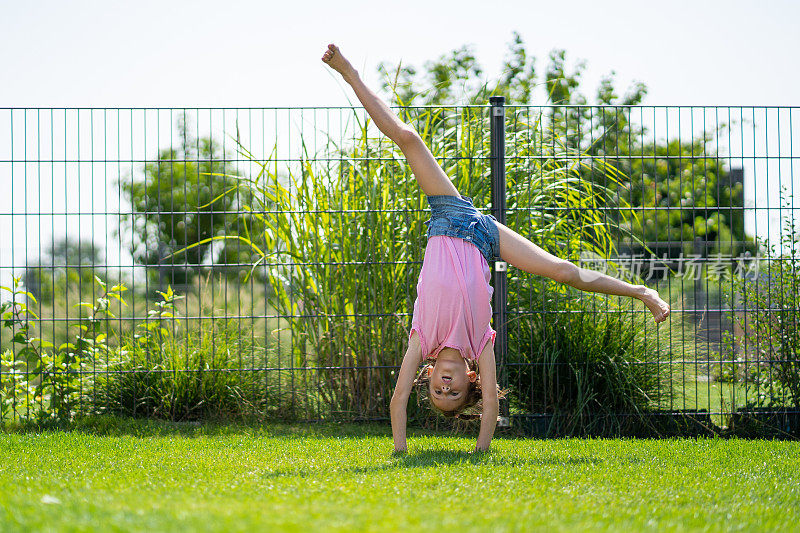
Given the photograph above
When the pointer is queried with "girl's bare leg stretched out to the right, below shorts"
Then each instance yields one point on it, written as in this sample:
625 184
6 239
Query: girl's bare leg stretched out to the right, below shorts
522 253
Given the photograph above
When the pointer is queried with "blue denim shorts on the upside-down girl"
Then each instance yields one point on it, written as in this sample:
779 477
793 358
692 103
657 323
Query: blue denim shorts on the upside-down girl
457 217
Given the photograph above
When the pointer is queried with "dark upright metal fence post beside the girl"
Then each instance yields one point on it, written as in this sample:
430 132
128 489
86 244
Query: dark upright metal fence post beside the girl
498 169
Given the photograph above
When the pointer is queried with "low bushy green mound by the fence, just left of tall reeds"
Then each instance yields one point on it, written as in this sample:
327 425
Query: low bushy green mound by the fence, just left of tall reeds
164 373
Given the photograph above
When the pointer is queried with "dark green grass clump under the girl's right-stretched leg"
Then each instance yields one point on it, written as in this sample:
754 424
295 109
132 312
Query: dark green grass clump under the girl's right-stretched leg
592 365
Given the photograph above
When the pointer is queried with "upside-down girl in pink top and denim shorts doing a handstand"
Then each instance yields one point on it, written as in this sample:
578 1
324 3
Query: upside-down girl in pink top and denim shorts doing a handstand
451 321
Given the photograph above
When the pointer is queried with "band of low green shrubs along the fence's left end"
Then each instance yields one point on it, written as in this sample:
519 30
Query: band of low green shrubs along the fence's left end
162 369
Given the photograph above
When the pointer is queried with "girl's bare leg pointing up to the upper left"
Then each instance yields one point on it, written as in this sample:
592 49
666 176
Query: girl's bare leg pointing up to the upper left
430 176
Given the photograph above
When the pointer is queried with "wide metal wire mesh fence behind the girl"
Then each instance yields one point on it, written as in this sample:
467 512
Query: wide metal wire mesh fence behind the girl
197 262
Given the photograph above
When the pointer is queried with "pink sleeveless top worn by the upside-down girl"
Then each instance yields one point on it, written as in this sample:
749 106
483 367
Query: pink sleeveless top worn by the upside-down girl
453 306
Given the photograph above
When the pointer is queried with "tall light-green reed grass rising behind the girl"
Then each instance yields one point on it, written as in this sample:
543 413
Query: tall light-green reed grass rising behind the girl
343 241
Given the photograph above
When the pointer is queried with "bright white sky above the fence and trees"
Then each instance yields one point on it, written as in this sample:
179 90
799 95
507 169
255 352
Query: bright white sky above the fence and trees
264 54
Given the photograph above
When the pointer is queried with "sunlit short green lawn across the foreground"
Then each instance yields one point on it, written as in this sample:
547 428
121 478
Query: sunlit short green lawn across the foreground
124 475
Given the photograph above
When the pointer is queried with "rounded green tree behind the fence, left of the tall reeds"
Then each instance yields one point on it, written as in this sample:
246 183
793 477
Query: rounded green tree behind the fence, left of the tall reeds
178 205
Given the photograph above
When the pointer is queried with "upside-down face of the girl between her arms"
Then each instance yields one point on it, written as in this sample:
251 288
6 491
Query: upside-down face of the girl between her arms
449 380
